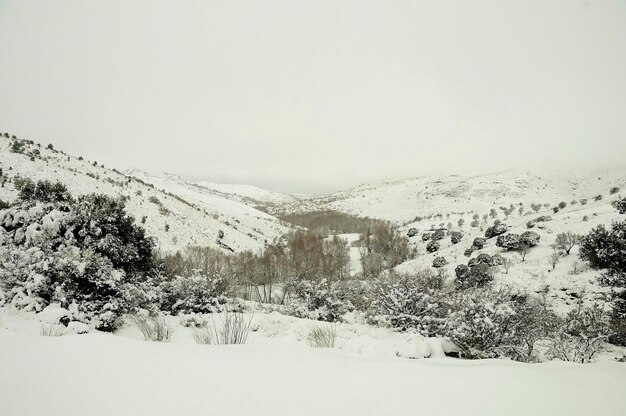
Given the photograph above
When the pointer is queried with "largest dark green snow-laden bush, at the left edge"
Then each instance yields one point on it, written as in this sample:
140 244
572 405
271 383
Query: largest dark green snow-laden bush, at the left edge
85 252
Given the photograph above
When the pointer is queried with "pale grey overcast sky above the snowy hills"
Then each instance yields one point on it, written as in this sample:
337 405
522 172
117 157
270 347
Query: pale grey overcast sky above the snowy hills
313 96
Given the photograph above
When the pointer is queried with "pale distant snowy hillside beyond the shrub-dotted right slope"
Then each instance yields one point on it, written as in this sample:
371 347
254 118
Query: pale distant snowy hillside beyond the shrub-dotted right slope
403 200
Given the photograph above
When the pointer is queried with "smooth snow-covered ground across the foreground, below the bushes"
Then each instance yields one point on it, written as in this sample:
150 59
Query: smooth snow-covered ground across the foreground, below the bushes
278 373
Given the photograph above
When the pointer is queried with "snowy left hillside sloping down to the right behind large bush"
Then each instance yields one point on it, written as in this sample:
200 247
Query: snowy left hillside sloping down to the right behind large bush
177 214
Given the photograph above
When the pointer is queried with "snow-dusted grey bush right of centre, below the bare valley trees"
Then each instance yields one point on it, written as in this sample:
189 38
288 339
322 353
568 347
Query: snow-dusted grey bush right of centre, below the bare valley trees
412 301
